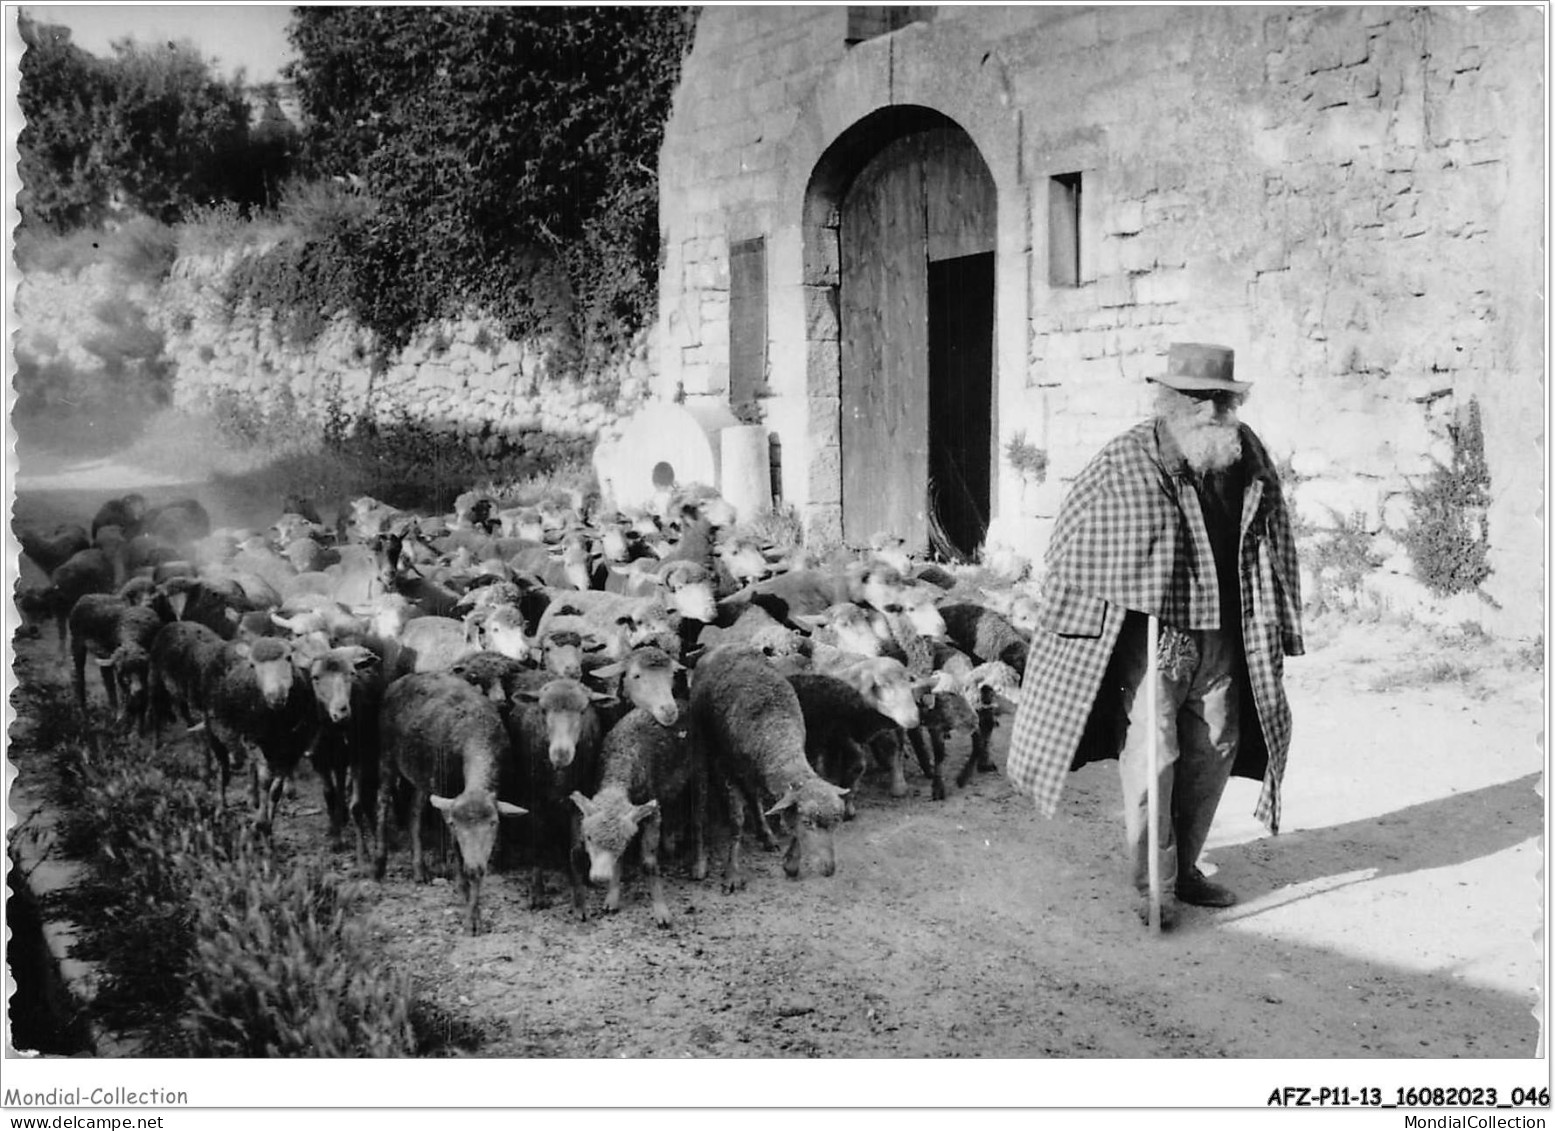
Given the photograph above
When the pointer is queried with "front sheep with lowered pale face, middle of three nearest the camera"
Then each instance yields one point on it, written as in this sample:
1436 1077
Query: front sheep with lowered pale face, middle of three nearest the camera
648 772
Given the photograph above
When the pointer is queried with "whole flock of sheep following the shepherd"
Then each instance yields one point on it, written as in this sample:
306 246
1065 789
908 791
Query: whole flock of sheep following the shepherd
655 679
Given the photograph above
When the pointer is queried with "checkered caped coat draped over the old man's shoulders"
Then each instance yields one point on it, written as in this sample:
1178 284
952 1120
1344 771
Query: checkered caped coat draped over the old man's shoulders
1131 536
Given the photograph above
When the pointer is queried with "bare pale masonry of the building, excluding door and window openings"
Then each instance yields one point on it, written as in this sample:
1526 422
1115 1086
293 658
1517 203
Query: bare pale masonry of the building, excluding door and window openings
1349 197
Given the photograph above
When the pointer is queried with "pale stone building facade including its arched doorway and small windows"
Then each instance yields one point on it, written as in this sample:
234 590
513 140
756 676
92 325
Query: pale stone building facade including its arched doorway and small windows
903 233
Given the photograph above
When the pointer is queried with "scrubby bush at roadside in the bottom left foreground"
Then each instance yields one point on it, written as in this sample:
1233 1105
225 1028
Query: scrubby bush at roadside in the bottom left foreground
206 937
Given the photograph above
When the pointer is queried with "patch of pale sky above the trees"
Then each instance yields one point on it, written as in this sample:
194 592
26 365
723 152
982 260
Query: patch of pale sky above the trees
248 37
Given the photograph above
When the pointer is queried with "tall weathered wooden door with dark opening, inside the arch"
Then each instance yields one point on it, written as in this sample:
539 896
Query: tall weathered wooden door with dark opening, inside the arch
923 200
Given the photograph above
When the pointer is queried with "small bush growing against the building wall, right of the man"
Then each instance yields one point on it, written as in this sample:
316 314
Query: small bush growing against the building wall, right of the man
1448 533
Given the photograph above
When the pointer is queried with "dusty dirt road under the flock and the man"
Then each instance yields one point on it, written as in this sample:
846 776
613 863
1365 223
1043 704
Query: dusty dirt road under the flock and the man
1396 916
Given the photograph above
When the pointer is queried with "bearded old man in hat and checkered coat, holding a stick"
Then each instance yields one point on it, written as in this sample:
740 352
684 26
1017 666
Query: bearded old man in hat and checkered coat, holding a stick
1181 517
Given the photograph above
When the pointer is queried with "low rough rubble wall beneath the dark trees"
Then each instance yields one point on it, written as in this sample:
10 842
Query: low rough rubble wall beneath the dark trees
461 376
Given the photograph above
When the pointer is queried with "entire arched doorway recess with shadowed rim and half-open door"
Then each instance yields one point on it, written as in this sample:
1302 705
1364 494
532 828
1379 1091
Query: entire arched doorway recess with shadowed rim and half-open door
901 220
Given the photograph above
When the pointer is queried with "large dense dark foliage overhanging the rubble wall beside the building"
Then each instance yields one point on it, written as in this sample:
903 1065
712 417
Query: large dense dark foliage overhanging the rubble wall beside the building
511 155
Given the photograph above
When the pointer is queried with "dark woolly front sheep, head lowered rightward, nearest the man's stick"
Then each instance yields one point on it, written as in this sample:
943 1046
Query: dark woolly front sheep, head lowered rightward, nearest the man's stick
752 726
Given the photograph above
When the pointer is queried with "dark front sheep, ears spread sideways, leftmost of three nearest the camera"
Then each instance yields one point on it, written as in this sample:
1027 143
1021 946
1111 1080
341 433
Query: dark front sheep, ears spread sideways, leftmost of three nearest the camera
449 743
